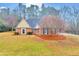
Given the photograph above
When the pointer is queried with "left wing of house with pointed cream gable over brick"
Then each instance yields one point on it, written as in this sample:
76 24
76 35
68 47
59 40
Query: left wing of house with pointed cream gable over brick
23 27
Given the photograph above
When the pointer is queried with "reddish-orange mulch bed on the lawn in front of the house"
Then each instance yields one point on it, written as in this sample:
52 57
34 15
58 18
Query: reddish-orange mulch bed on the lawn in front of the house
52 37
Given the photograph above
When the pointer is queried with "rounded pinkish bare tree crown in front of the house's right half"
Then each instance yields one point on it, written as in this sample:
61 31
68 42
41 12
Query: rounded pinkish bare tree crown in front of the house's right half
52 22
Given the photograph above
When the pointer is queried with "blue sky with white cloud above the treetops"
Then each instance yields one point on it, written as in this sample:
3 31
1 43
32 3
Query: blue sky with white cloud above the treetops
56 5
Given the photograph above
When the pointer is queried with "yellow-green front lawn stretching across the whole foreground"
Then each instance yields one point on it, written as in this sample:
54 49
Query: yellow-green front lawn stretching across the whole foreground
31 45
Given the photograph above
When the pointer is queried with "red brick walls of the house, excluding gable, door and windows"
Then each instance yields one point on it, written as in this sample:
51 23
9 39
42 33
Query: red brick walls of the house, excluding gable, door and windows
38 31
